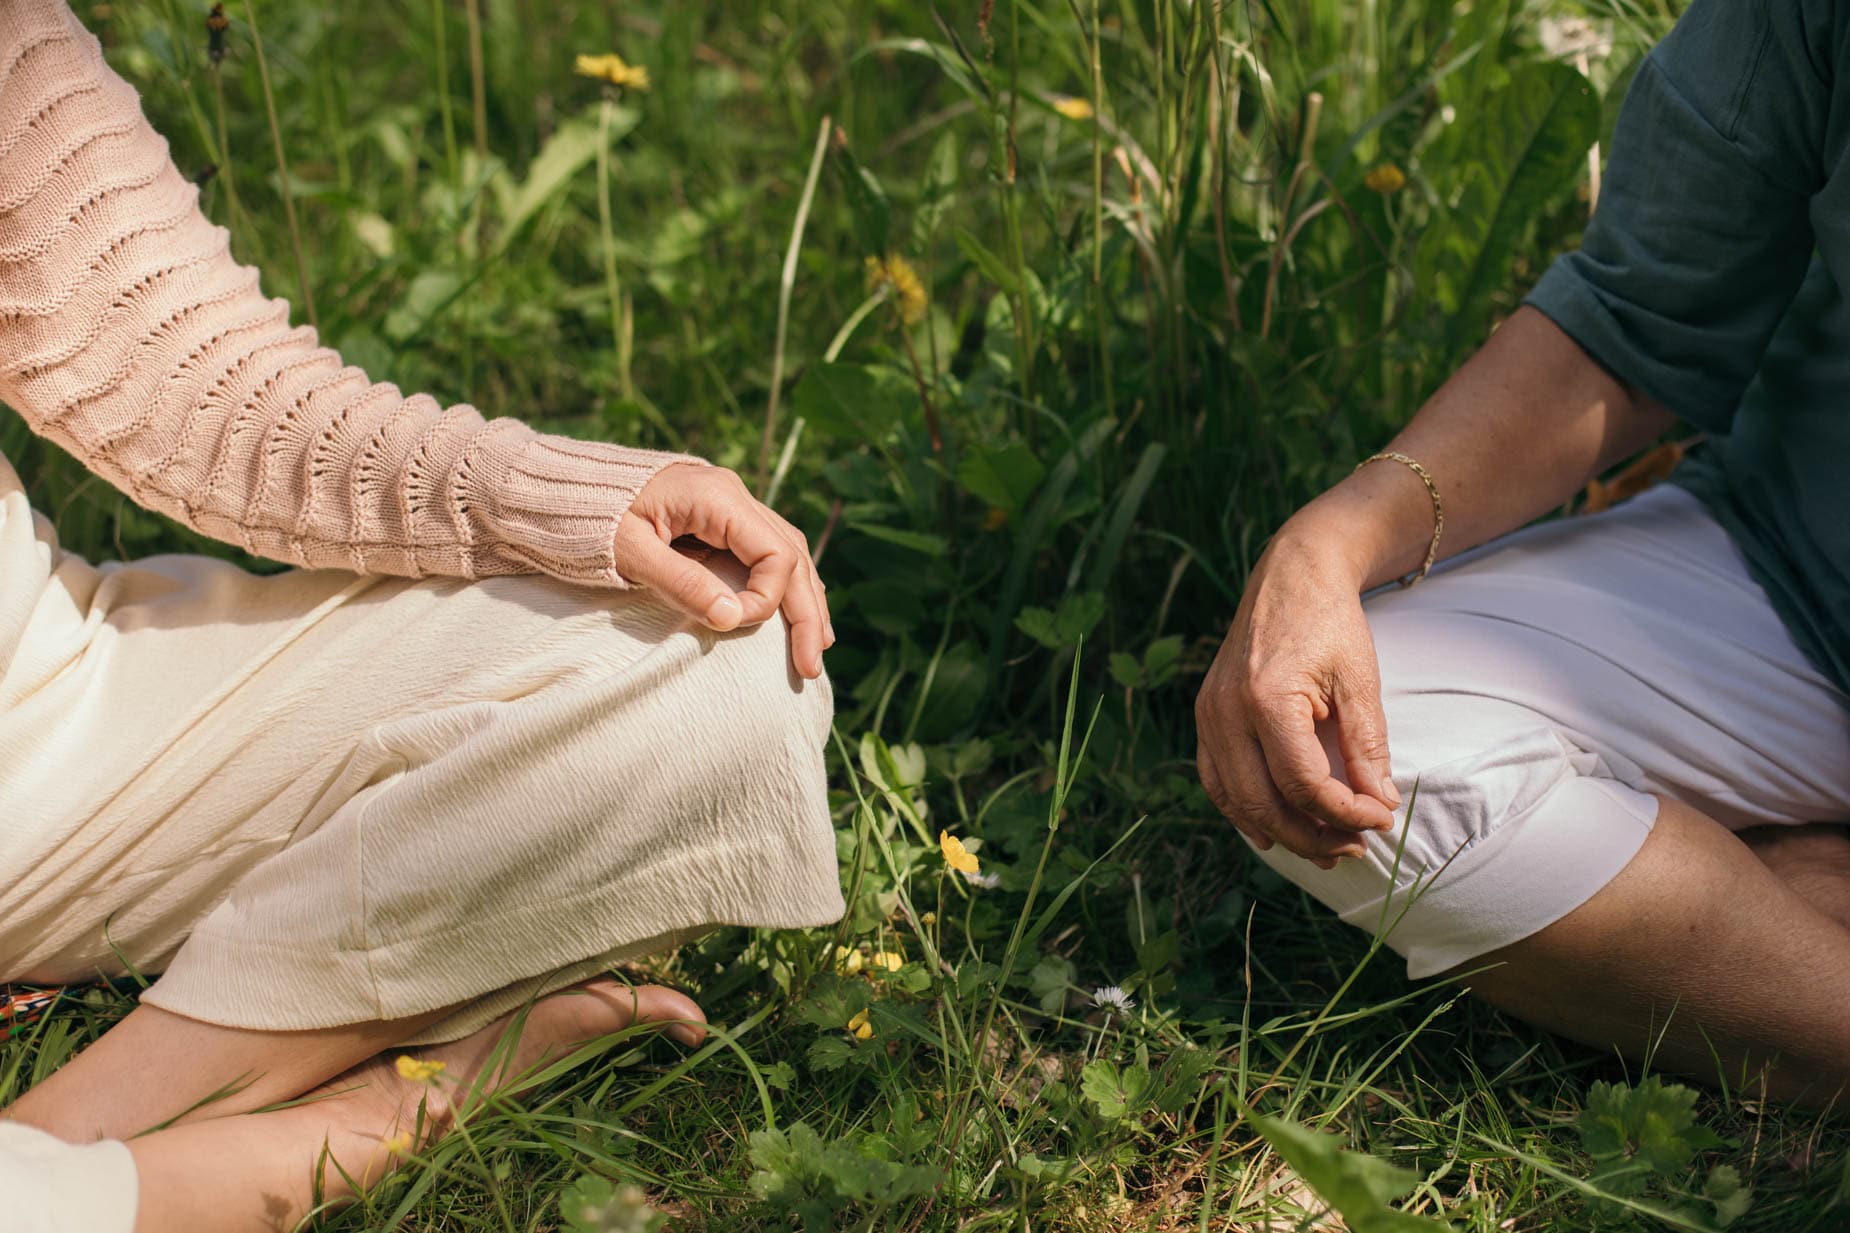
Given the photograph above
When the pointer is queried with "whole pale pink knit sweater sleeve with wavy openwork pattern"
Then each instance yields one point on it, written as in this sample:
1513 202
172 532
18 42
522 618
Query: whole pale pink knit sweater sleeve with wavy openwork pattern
132 338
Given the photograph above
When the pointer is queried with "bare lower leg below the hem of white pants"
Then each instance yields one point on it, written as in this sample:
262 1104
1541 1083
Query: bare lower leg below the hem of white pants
1697 954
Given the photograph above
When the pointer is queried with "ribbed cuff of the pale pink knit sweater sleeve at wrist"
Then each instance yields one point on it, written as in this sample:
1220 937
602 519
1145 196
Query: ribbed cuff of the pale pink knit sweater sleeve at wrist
554 504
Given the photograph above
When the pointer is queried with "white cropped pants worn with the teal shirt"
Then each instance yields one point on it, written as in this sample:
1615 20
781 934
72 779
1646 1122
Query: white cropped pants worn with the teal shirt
1544 693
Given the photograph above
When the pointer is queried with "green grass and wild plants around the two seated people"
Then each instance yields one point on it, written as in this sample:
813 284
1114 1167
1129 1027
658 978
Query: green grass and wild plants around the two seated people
1148 340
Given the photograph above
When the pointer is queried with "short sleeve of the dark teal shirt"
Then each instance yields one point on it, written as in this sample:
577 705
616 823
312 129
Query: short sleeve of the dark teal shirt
1703 232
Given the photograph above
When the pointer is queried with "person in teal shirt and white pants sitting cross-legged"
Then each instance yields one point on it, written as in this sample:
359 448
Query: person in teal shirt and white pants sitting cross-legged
1629 732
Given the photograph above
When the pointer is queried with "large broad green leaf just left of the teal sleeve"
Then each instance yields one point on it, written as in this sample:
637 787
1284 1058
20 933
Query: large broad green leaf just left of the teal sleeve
1527 145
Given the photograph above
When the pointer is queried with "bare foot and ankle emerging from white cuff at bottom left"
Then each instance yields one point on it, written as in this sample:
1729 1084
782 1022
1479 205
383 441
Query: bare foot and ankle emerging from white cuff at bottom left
260 1171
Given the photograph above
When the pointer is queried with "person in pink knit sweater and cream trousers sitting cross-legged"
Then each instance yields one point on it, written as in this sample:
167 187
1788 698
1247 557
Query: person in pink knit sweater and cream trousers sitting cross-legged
493 738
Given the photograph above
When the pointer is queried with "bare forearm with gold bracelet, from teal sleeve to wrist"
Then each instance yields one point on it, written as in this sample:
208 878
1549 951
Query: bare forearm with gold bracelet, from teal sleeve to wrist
1518 430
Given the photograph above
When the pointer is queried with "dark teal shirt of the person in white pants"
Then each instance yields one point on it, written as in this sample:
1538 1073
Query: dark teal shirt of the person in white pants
1712 279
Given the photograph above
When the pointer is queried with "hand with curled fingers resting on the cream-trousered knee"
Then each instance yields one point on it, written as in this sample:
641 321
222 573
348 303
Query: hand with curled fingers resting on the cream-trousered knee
713 506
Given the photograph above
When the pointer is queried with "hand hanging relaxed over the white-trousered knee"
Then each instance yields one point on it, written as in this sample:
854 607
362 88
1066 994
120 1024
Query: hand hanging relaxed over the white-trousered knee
1300 654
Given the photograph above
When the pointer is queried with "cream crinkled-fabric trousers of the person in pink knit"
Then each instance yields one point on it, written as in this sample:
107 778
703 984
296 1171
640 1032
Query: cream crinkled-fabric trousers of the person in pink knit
317 799
